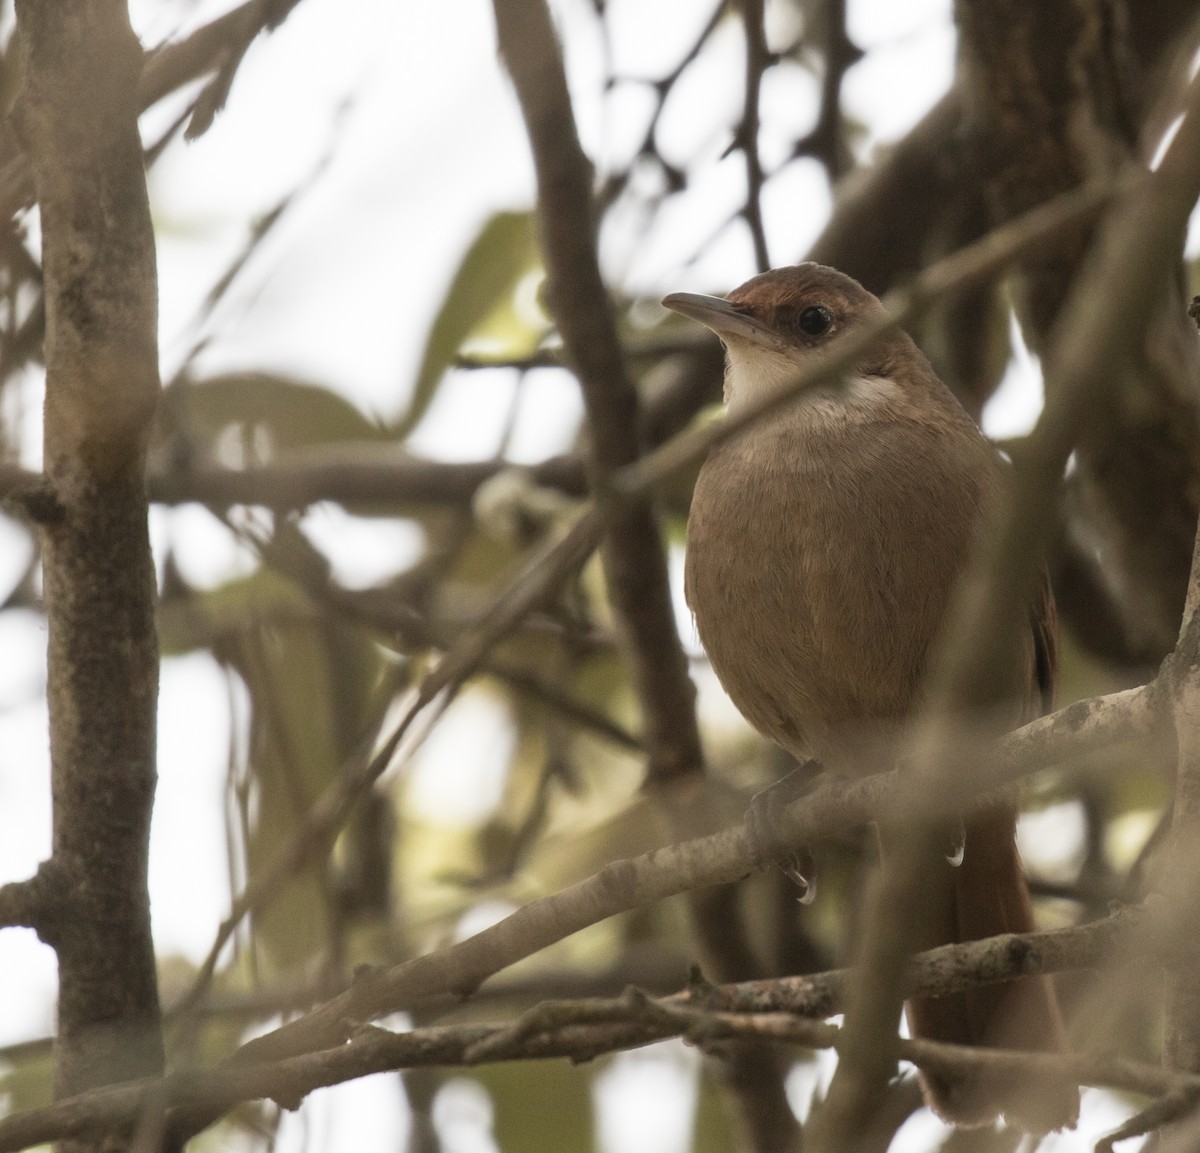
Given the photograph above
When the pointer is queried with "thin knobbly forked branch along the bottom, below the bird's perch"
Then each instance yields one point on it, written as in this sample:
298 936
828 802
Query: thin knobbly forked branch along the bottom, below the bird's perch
779 1011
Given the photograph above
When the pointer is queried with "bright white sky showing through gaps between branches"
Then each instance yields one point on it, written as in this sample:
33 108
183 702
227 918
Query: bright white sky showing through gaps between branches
407 109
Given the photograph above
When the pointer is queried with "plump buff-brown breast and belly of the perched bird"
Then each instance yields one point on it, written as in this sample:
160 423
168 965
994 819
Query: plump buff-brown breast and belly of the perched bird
821 556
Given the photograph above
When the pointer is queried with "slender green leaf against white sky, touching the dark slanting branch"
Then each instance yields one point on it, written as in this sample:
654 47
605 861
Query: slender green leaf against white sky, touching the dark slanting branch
500 256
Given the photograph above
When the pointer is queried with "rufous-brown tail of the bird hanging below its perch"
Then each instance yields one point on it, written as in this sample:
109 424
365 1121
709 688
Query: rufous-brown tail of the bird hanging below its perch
987 896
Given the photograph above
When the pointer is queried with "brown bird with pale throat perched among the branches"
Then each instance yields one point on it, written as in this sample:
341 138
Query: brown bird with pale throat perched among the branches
824 545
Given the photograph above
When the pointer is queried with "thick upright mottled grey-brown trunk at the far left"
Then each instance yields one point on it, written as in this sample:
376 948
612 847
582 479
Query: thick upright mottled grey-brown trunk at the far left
77 118
